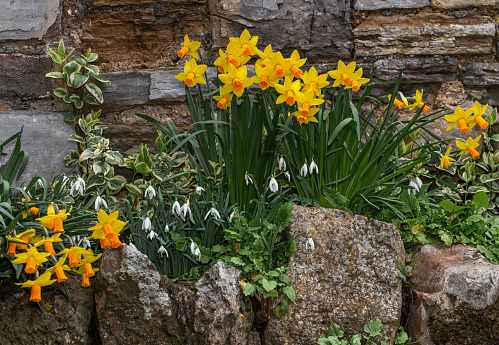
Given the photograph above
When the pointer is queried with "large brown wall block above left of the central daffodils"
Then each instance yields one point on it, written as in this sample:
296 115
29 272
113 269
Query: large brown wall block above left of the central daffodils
143 35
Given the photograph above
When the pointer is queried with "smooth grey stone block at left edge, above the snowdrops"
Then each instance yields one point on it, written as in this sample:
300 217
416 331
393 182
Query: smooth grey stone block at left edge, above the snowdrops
44 137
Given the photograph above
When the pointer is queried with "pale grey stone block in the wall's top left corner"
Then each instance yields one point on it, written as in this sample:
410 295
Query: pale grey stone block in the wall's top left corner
24 19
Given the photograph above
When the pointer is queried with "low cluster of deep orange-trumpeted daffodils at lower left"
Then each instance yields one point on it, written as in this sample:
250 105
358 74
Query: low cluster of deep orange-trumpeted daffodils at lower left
34 251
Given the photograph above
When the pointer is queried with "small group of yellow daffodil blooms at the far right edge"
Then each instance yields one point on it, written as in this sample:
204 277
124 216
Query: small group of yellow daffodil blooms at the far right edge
465 120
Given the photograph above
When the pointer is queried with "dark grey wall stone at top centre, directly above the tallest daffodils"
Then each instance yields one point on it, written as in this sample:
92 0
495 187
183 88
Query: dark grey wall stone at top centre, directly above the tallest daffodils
322 28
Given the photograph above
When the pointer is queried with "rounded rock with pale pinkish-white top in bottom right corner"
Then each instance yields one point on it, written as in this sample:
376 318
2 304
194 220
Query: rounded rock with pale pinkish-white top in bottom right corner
456 302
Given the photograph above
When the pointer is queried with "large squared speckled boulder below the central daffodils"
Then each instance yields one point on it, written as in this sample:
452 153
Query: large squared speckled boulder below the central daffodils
353 268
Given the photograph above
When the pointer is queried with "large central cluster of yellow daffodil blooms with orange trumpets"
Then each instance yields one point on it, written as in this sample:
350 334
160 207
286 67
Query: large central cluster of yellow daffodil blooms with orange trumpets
297 87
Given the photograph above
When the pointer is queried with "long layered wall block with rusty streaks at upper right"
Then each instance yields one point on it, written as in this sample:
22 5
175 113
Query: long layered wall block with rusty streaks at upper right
424 34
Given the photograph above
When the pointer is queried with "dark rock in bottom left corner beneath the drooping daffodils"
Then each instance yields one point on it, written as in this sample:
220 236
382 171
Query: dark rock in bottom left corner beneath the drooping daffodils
22 322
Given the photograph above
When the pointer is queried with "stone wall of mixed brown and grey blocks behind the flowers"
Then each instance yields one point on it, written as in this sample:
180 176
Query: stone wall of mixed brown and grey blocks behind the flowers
435 41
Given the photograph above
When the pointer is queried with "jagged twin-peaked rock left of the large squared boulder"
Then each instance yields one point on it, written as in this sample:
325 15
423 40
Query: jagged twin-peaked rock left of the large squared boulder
135 304
